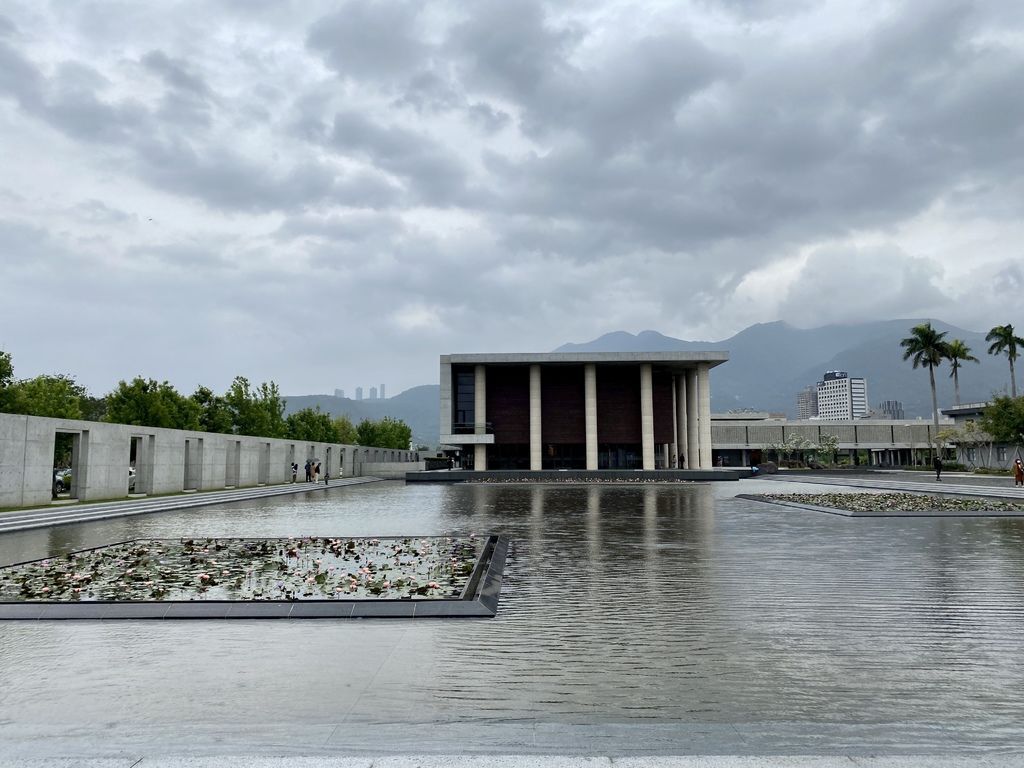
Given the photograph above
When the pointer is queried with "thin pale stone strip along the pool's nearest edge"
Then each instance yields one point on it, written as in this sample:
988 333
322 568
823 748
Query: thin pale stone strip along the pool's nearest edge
532 761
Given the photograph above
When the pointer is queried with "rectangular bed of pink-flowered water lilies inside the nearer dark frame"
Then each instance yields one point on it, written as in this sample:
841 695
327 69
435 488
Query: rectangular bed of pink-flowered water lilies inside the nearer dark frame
294 569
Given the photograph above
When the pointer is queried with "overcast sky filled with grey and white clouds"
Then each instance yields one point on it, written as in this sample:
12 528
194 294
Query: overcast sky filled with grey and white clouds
332 195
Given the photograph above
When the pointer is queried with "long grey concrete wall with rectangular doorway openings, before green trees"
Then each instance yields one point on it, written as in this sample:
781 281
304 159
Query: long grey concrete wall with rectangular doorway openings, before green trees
102 458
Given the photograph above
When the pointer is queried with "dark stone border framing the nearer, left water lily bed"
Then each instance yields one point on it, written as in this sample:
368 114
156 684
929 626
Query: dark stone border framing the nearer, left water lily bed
481 601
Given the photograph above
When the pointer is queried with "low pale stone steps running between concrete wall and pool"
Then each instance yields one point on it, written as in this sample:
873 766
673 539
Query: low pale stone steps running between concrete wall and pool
64 515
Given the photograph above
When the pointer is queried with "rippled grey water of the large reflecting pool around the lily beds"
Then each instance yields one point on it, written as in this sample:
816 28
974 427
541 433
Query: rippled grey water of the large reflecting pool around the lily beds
649 619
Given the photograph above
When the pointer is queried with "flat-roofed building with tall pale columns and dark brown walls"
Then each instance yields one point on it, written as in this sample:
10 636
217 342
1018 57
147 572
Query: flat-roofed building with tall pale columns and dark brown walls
579 410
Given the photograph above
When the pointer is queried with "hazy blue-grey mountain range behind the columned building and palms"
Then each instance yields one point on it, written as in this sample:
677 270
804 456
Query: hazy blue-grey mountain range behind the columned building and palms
770 364
